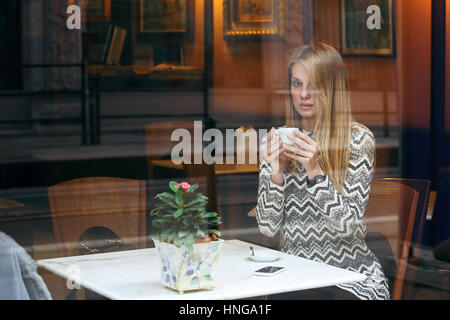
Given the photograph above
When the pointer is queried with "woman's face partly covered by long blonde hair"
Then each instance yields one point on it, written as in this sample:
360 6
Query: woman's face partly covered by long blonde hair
302 94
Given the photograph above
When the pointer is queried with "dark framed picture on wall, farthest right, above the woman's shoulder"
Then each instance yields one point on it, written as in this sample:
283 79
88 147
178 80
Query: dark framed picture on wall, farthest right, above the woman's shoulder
367 27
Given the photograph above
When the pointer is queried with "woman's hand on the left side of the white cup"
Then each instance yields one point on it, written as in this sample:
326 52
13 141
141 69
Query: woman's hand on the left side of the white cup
273 153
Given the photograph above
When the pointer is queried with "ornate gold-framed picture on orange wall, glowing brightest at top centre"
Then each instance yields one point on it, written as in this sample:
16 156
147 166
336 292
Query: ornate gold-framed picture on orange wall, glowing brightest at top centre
254 19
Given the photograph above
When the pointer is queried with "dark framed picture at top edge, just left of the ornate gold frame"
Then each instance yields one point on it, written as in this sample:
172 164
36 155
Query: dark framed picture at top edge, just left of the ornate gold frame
164 16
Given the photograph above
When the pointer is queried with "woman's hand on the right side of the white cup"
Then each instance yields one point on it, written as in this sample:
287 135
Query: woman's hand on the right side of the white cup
305 151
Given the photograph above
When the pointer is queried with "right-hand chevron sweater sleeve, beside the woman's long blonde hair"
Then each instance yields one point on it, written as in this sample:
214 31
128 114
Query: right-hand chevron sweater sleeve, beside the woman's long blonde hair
345 212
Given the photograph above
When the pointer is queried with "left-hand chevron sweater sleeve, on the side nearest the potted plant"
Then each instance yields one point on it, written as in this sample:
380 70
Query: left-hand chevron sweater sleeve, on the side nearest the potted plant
269 209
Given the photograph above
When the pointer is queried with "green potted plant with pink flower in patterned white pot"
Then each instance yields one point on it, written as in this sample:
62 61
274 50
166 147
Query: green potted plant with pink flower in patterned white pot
186 237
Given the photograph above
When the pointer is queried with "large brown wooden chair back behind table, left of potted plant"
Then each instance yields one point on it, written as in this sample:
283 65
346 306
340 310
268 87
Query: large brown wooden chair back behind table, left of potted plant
116 204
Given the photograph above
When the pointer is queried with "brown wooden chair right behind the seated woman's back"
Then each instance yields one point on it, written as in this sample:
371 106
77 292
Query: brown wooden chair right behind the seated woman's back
391 211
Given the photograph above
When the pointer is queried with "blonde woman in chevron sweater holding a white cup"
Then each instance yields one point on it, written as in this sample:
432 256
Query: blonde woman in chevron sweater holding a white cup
314 192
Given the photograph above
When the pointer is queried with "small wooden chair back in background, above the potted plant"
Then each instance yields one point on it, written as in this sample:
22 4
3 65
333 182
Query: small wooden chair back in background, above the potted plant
158 140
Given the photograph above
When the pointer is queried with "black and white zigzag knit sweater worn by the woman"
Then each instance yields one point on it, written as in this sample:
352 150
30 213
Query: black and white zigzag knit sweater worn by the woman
320 224
